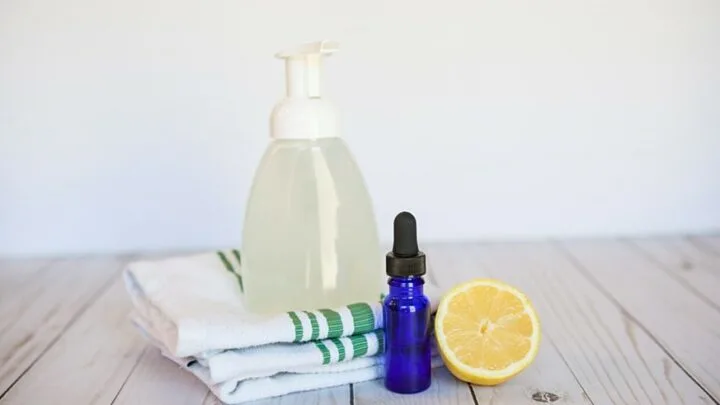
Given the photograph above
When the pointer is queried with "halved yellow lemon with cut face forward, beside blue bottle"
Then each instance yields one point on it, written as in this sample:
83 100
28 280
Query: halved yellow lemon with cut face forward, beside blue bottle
487 331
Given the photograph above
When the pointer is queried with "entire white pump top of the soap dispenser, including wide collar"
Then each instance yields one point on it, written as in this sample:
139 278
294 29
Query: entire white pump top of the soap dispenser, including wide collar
303 113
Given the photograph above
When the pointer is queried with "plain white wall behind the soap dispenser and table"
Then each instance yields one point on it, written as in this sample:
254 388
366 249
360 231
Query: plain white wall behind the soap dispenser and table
137 124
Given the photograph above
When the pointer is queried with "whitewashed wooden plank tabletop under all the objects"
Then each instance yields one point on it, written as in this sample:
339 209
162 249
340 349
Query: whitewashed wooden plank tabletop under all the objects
624 322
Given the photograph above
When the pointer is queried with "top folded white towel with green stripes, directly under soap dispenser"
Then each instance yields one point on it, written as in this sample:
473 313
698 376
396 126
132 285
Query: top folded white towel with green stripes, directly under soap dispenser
193 306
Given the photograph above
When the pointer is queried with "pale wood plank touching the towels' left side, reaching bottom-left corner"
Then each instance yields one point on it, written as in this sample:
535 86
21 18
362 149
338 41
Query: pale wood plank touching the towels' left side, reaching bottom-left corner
90 361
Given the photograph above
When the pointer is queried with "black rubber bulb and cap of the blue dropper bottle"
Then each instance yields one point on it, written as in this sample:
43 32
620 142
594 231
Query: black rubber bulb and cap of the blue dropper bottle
406 259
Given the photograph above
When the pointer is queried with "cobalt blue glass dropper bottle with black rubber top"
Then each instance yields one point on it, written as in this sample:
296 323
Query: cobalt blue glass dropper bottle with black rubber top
406 311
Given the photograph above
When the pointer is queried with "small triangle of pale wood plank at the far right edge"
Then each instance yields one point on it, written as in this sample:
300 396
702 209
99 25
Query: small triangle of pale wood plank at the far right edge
693 267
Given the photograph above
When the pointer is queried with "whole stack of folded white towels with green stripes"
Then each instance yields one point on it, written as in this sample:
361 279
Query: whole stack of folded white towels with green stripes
191 308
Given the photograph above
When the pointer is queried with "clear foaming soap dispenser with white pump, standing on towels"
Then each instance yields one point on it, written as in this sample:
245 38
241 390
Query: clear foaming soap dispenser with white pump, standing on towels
310 237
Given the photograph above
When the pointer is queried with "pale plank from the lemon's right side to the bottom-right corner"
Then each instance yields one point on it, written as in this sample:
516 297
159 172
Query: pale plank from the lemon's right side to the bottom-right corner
612 357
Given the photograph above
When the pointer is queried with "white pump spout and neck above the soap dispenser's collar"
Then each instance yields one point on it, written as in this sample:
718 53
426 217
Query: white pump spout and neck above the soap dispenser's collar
303 67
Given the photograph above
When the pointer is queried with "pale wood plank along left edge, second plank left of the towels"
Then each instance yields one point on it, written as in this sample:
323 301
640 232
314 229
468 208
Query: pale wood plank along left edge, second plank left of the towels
37 312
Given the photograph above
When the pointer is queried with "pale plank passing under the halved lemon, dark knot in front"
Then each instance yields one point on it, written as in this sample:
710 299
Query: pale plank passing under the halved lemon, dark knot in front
548 376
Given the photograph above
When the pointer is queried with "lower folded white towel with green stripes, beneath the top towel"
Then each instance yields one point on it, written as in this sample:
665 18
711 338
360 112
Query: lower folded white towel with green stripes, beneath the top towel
240 375
